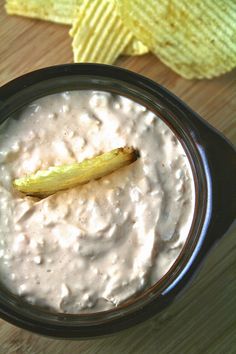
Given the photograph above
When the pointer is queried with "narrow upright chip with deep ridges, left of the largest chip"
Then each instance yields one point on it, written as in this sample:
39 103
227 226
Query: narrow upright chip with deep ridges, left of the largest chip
99 35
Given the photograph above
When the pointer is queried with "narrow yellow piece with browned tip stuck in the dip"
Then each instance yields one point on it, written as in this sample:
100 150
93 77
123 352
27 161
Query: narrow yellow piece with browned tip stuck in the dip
46 182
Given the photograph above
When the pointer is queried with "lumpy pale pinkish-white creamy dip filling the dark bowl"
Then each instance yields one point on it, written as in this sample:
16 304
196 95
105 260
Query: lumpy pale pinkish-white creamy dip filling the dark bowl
91 247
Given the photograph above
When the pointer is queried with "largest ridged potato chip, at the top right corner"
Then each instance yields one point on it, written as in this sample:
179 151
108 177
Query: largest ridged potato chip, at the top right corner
197 39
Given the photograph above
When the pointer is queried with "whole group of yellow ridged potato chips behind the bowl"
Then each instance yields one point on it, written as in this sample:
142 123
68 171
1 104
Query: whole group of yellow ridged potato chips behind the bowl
196 38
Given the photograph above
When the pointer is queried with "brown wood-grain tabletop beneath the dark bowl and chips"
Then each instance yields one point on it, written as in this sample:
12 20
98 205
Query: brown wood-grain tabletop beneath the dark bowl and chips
203 320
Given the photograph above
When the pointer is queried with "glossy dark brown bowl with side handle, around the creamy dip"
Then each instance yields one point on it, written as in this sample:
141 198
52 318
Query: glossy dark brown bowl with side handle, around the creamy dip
214 168
